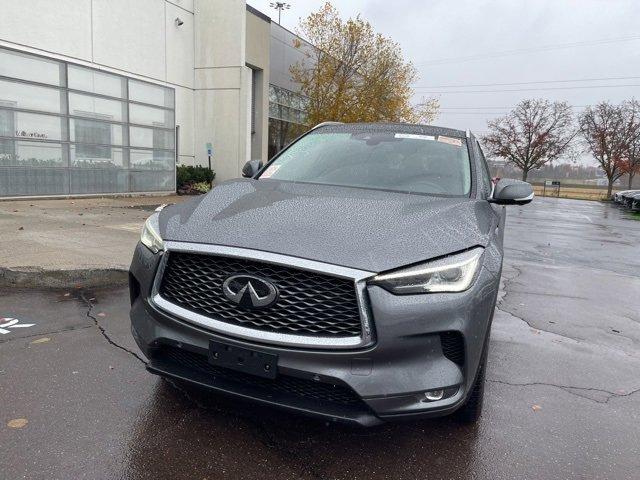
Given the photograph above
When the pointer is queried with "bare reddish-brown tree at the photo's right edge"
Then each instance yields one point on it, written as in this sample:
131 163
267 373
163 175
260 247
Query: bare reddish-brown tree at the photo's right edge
609 131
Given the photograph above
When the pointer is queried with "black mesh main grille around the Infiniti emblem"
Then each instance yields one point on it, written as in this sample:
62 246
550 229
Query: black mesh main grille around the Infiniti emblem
309 303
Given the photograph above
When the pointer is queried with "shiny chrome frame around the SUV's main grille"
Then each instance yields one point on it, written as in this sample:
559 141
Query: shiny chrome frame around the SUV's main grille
365 339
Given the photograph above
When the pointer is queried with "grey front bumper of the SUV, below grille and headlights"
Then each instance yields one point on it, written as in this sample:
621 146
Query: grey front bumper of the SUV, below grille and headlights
411 354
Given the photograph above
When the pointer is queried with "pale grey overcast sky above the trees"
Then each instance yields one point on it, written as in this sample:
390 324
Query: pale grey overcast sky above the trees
464 43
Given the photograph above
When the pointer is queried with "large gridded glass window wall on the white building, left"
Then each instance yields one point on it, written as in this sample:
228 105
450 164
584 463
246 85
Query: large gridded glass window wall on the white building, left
98 159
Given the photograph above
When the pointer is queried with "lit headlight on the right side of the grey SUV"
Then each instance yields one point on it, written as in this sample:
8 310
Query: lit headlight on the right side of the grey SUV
454 273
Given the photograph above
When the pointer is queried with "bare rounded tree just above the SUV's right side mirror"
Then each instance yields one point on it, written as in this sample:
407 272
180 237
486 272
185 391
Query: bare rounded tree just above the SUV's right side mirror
533 134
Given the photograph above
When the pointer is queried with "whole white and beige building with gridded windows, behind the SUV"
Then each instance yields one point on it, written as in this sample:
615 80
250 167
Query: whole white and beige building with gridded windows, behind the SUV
106 96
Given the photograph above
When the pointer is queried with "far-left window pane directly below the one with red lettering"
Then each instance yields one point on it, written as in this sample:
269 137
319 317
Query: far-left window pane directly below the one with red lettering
21 153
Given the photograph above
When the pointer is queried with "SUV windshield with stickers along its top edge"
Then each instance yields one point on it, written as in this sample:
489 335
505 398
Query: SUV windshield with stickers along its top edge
384 159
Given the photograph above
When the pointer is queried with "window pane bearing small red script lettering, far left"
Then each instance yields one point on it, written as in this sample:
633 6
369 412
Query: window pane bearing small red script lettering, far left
30 125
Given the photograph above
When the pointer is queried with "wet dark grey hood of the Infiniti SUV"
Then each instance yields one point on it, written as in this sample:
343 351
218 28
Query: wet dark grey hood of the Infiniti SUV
357 228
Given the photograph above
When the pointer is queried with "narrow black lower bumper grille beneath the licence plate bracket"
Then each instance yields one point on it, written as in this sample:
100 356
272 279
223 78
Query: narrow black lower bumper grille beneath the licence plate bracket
283 384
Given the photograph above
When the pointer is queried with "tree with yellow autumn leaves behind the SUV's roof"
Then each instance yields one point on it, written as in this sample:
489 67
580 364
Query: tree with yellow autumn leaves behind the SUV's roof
350 73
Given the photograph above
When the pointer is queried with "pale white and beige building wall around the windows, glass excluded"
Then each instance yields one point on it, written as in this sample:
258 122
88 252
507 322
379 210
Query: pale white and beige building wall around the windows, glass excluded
211 61
